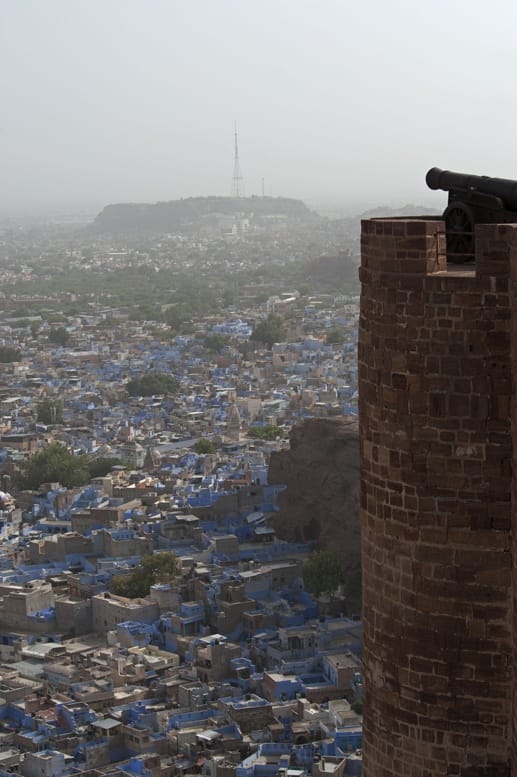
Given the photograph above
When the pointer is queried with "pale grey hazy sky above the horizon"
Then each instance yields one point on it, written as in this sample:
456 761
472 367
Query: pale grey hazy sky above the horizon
336 101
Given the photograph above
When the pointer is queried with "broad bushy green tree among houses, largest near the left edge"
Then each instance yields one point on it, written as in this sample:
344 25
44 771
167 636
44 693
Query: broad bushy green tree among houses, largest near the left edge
55 464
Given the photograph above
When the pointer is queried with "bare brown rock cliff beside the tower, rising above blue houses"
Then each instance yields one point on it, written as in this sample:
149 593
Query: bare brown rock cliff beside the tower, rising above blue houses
321 502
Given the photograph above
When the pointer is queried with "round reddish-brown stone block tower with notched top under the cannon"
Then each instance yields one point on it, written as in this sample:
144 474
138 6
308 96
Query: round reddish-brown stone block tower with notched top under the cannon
436 352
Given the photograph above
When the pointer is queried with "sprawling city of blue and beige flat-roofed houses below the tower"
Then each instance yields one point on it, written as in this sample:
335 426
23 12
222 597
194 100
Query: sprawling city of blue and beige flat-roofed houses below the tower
154 618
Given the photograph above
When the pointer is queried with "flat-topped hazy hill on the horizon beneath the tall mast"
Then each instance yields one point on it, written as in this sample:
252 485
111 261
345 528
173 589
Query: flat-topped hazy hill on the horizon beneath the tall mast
193 211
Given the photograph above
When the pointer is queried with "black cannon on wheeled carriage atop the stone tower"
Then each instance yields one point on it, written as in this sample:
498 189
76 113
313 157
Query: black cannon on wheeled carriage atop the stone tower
473 199
